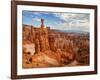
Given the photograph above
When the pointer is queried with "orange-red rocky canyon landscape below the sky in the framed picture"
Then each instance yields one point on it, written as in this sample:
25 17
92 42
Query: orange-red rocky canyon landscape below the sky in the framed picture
45 47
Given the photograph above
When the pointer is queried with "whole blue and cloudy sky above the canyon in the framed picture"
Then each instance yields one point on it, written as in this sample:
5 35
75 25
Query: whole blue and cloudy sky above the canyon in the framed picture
61 21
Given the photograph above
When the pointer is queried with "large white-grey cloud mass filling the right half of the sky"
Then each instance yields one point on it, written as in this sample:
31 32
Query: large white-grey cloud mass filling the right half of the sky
73 21
